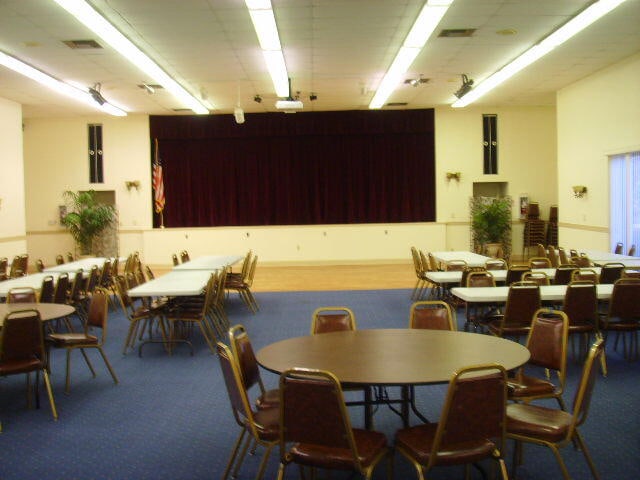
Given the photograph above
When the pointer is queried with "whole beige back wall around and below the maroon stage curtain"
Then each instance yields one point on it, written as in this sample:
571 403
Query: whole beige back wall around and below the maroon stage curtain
55 160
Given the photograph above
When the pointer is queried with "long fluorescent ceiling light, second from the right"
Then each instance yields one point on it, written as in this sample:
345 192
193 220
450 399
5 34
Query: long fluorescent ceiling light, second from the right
416 39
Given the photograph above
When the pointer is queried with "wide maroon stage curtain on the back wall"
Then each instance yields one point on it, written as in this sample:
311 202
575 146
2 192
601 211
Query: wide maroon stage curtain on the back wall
306 168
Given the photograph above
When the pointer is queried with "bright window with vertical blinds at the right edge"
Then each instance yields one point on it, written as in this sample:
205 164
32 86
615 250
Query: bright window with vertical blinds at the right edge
624 174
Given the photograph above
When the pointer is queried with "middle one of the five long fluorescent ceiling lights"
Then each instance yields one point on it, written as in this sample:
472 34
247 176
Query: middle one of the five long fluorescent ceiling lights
264 23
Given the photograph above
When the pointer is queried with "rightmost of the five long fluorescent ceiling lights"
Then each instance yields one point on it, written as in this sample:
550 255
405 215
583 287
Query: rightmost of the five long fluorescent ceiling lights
558 37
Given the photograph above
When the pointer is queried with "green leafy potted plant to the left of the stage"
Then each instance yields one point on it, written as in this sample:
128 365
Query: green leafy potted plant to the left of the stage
86 218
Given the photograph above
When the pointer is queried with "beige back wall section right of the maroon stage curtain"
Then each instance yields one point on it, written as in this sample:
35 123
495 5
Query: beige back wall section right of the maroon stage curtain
526 163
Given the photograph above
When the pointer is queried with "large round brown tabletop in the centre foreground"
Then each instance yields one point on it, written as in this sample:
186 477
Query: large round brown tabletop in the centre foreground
392 356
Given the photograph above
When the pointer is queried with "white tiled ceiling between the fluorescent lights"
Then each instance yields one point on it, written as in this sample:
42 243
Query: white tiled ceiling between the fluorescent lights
337 49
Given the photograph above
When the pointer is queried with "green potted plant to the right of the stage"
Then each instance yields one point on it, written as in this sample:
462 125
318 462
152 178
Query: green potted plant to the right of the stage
491 223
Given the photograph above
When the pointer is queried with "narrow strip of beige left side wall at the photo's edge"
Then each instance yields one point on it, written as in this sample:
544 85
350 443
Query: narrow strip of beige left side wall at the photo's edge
12 197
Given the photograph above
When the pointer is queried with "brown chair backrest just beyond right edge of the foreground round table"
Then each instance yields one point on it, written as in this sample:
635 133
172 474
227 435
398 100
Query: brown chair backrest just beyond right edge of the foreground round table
547 341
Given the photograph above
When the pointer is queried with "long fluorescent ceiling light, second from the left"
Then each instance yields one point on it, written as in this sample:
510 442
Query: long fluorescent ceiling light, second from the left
87 15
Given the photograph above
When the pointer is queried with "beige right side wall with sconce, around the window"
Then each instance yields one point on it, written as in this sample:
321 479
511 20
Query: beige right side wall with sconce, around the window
597 117
